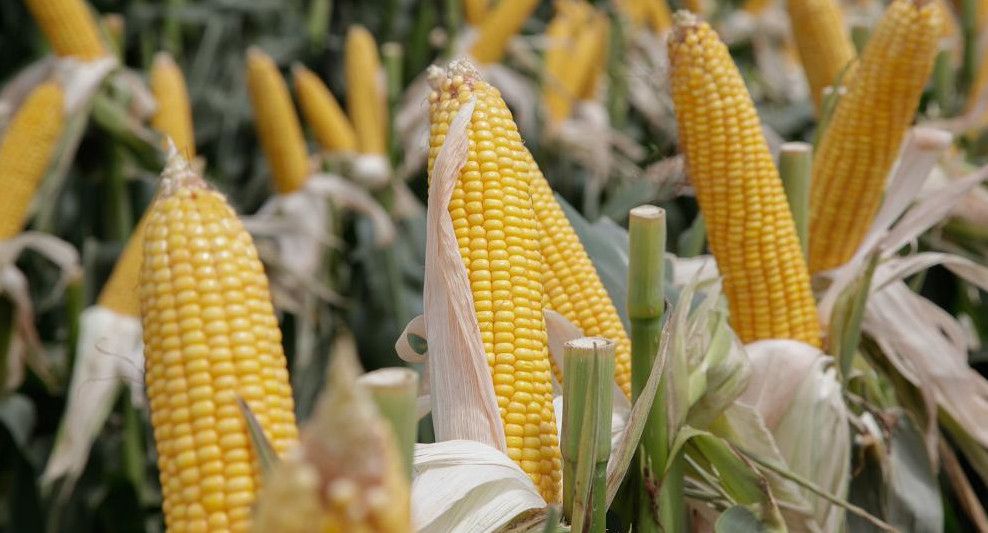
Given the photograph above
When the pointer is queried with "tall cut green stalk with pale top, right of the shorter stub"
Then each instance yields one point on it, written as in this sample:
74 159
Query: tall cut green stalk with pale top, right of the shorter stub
646 303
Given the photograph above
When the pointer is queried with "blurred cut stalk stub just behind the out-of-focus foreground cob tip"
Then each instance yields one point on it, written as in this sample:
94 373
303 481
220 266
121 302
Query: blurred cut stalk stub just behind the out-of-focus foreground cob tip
394 391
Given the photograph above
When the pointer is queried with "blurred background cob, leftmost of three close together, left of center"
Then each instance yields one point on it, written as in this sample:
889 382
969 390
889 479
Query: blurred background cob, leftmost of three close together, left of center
276 123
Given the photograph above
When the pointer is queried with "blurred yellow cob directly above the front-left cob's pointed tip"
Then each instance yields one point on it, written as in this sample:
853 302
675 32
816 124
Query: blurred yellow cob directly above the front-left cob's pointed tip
173 117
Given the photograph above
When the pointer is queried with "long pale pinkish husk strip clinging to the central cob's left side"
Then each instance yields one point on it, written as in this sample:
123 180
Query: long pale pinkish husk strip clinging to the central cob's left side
463 402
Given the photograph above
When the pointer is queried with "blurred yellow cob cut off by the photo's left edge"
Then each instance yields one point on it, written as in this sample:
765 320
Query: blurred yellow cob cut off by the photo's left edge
25 153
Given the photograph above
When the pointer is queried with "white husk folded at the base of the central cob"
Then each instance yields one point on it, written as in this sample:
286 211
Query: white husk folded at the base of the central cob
463 486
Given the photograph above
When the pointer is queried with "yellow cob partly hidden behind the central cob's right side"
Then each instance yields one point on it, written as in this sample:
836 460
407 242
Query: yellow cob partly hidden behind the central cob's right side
571 283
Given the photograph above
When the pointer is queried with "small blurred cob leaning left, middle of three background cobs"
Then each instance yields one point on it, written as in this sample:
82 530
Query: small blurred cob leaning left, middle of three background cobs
322 112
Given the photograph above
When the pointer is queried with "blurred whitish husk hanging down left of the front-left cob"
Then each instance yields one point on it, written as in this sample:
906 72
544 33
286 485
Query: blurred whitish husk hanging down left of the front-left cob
110 354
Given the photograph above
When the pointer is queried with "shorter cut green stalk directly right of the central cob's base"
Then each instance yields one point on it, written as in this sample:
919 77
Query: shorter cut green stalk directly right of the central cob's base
588 372
